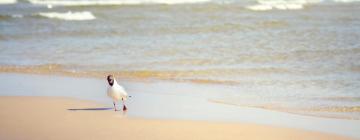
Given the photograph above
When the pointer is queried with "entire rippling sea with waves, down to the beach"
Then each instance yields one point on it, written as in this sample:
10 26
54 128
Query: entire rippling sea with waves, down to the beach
296 56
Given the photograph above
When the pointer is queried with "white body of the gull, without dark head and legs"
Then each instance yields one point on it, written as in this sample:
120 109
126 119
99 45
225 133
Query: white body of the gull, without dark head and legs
117 92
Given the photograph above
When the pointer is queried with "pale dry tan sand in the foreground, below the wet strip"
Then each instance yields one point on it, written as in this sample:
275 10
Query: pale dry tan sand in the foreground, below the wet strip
49 118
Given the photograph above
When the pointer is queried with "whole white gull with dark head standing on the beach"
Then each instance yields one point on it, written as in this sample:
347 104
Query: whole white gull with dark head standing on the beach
116 92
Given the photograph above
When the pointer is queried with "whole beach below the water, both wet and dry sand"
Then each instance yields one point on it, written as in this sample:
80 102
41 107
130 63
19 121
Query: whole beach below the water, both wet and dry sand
59 107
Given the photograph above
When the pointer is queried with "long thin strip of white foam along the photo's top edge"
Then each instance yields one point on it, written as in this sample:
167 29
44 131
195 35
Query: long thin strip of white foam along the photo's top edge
111 2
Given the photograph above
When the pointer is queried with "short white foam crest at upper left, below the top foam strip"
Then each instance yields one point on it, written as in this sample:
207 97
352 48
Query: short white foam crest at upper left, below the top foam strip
86 15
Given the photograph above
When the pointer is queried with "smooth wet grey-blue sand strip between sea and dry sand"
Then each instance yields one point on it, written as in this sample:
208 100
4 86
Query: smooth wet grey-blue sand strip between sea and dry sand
169 101
